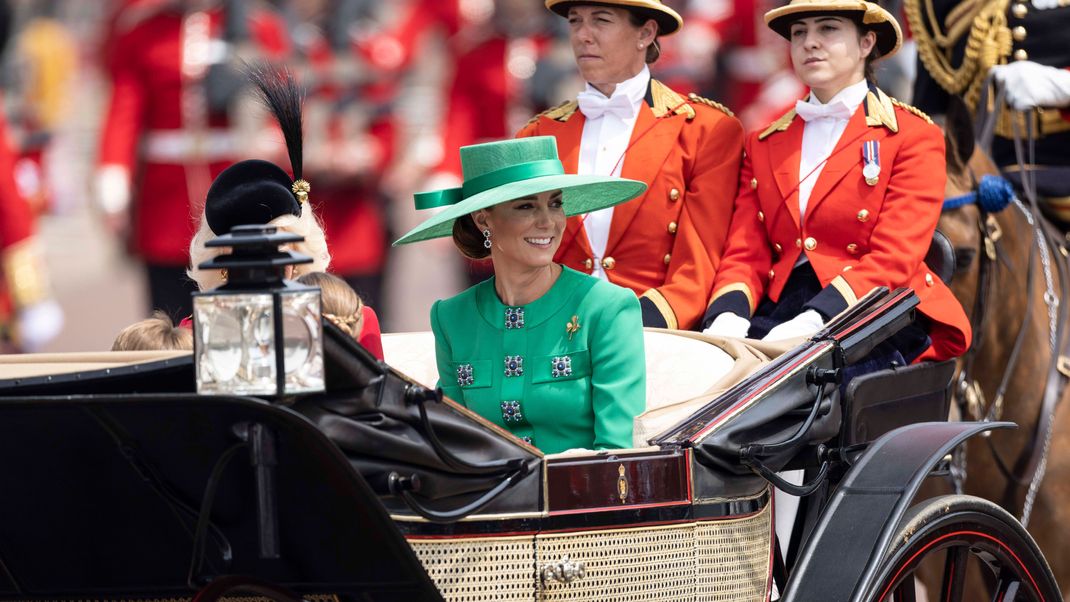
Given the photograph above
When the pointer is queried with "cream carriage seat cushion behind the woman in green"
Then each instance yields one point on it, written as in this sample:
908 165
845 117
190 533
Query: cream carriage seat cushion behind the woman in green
679 367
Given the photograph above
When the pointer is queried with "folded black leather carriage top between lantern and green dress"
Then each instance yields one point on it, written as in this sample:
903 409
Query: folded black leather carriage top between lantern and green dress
421 453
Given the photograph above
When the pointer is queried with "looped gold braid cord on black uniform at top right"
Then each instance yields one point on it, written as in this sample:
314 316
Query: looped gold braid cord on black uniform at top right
989 44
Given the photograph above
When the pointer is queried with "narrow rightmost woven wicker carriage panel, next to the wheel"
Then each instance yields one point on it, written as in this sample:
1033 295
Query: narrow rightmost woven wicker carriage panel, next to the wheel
733 559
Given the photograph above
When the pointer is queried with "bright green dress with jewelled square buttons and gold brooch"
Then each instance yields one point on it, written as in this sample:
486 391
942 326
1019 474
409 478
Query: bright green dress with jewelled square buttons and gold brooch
567 371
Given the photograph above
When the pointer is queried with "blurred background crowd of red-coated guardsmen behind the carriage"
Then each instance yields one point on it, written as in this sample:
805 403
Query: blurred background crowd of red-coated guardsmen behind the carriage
120 113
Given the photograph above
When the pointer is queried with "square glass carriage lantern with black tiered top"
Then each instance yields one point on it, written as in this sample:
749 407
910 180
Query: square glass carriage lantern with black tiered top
258 334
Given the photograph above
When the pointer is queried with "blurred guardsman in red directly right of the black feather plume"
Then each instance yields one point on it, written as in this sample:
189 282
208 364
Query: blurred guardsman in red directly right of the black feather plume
349 144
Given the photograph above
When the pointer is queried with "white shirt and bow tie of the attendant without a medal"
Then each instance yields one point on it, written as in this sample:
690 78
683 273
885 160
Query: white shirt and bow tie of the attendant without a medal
603 147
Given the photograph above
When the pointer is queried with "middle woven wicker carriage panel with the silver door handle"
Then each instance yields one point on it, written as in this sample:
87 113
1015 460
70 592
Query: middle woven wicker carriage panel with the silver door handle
646 564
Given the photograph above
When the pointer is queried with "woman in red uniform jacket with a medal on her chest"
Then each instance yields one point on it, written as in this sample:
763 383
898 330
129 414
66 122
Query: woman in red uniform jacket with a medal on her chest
838 196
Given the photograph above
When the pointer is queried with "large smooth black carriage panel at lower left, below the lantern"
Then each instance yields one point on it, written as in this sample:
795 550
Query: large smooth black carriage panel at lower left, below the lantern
102 498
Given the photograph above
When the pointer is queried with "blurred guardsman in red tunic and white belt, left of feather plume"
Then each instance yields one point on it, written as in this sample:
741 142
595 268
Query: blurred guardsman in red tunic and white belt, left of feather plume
167 132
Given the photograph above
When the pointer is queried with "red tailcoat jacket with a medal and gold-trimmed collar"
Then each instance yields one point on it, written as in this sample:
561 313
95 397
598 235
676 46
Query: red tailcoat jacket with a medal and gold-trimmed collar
857 236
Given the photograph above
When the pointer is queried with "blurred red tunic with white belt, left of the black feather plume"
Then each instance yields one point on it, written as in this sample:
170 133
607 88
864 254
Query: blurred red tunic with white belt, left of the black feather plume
158 128
